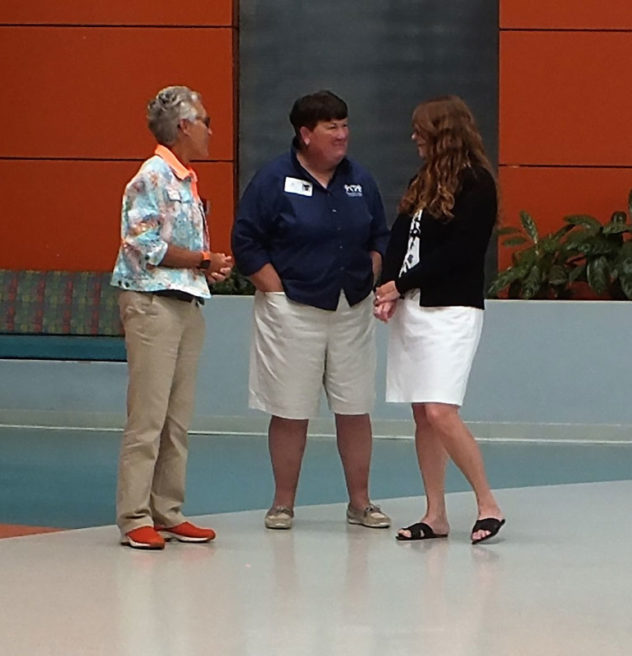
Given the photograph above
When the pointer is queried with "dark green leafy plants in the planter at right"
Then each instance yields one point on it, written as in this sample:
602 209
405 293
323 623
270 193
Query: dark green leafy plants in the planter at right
582 251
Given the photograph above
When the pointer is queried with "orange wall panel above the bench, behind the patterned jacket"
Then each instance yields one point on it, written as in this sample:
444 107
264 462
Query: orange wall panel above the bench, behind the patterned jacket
65 215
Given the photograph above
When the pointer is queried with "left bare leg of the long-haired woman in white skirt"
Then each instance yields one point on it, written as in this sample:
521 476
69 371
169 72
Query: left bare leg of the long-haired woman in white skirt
432 458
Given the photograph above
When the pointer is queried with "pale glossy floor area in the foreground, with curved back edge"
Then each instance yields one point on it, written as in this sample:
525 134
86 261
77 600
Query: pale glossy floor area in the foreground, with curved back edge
555 582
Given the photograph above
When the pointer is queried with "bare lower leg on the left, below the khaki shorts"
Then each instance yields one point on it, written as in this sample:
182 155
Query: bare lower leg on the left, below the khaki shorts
286 442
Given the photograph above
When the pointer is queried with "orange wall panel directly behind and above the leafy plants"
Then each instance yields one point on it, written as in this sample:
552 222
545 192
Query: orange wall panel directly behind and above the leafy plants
550 194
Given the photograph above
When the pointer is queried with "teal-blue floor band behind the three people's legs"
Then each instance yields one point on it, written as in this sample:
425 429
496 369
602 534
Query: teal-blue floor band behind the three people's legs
68 479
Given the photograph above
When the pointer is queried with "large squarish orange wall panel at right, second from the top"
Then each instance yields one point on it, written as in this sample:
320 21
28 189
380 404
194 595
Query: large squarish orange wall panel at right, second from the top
565 98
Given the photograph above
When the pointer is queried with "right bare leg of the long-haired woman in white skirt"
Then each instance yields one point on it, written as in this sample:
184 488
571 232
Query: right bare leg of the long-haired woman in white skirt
463 449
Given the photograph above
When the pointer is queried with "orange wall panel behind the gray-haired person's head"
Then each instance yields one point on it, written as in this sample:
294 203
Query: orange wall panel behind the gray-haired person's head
82 92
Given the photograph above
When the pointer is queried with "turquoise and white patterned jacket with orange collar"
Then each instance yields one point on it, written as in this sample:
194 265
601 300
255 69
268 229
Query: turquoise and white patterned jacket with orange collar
161 206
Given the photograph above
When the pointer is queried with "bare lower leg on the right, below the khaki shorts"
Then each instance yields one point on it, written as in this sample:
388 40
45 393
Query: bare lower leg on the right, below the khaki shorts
354 445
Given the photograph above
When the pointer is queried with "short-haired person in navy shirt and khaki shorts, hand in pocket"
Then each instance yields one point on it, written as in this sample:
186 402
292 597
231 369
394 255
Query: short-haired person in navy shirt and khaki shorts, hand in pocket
310 233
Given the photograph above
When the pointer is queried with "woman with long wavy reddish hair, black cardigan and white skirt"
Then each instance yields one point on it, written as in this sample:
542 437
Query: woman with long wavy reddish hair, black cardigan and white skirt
432 294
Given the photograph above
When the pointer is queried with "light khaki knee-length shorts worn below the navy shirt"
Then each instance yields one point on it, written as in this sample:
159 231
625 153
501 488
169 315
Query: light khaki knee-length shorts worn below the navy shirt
297 349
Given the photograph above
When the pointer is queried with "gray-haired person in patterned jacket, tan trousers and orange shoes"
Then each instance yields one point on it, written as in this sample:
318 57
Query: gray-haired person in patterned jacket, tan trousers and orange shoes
164 268
